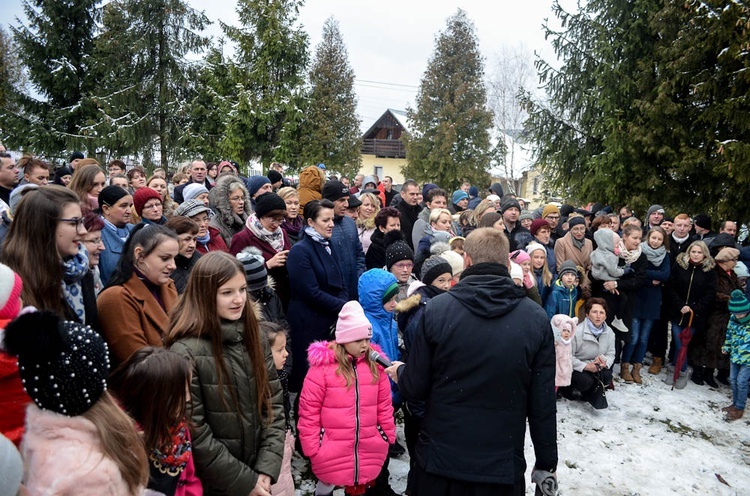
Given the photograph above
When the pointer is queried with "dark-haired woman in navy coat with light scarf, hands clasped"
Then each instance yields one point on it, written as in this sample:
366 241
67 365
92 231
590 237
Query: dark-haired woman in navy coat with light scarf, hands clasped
317 287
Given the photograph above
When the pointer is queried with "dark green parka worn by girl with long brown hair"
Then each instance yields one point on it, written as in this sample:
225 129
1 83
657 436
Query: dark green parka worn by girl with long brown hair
230 450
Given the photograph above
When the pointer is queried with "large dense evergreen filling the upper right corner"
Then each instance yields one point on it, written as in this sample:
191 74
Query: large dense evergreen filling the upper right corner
649 105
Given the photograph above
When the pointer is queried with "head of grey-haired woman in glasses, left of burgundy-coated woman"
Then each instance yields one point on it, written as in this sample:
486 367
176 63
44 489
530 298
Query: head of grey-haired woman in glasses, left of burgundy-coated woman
229 201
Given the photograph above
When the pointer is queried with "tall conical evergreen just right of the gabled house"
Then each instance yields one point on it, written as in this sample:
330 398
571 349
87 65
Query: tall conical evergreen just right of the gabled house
449 139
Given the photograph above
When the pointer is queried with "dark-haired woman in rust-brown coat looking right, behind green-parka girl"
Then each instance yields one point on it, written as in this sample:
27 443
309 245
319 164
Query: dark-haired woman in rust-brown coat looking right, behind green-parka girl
134 307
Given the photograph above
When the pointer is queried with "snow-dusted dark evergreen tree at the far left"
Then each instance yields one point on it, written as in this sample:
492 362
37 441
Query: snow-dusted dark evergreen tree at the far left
56 48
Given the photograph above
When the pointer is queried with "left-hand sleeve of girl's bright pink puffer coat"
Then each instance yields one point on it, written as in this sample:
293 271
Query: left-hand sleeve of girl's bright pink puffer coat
310 406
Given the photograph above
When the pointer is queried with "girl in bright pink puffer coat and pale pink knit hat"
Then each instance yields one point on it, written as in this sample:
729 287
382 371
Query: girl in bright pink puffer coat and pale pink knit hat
345 414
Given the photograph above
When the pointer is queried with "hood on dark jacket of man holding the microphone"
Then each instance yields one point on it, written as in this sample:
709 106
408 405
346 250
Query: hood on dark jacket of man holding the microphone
487 291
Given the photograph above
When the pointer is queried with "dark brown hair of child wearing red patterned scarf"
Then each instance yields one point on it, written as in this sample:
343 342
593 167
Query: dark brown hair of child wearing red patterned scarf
151 388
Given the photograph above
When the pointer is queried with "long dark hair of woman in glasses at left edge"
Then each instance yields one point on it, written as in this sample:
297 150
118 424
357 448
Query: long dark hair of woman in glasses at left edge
31 249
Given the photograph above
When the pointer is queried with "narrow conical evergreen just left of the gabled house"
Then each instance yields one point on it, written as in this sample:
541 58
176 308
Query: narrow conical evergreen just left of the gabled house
330 132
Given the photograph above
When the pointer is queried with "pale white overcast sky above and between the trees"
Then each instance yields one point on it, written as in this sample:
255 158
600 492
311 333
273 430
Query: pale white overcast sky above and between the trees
390 43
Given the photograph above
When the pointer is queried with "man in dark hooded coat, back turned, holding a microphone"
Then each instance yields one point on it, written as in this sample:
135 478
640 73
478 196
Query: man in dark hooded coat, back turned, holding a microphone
483 359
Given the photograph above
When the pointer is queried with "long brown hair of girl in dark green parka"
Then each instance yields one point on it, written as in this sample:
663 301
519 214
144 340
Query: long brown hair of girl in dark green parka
194 317
